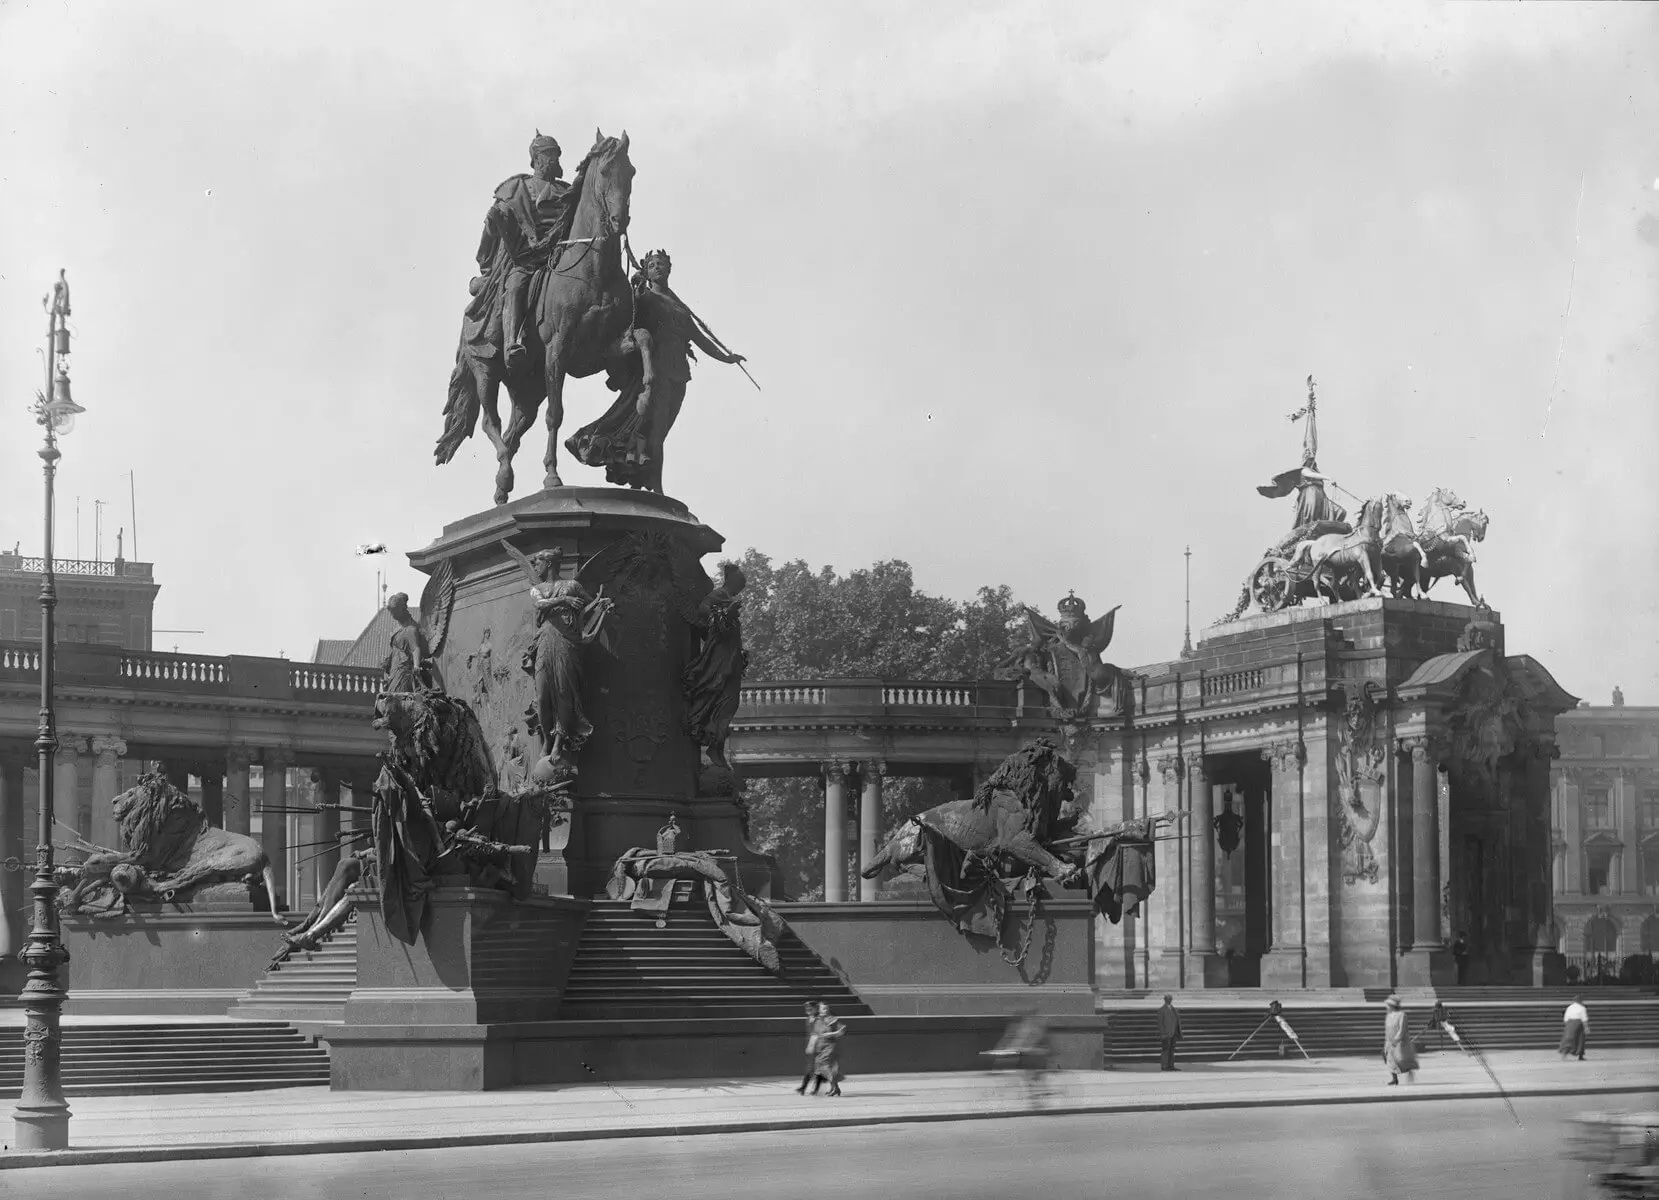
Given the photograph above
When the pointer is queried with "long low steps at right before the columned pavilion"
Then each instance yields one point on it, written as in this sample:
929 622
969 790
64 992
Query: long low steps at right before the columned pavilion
1210 1035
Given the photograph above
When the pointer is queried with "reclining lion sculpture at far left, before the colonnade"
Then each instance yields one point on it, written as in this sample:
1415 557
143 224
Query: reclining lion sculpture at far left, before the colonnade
172 854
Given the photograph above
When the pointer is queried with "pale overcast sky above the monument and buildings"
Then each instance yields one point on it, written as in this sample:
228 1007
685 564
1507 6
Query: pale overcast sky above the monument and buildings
1031 290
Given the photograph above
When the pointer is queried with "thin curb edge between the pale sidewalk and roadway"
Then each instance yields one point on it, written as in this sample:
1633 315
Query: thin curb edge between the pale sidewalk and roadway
16 1161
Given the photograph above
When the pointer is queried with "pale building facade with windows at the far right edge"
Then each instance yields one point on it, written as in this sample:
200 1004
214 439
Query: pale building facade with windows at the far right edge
1605 821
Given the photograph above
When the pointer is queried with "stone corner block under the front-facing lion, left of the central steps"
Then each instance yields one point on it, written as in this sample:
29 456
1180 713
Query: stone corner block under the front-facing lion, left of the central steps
480 959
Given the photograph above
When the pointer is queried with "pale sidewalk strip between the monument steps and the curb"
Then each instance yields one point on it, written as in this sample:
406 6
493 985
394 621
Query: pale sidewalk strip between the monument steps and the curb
308 1121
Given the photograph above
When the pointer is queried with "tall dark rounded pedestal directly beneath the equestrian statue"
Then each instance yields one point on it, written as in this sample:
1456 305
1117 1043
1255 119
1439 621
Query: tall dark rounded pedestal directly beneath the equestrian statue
640 766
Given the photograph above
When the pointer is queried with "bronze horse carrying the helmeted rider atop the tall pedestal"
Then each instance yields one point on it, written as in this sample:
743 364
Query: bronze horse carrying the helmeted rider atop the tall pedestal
583 308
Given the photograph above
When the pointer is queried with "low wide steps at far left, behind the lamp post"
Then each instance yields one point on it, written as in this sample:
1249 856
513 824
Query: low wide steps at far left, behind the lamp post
187 1056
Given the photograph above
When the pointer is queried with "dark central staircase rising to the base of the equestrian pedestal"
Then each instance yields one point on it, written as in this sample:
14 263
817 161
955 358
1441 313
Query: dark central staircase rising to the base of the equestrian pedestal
631 968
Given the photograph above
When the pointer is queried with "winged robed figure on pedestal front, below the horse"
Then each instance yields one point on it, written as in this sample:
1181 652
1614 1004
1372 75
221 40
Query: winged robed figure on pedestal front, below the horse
568 622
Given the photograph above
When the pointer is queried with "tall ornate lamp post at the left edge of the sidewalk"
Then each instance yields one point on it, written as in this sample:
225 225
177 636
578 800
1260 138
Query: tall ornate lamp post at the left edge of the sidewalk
42 1118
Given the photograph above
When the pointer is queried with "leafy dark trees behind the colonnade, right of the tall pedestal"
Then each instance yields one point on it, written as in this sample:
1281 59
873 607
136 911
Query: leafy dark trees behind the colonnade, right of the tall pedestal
868 625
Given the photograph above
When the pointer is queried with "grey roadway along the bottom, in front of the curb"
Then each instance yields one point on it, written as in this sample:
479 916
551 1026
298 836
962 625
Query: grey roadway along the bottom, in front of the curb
1456 1149
